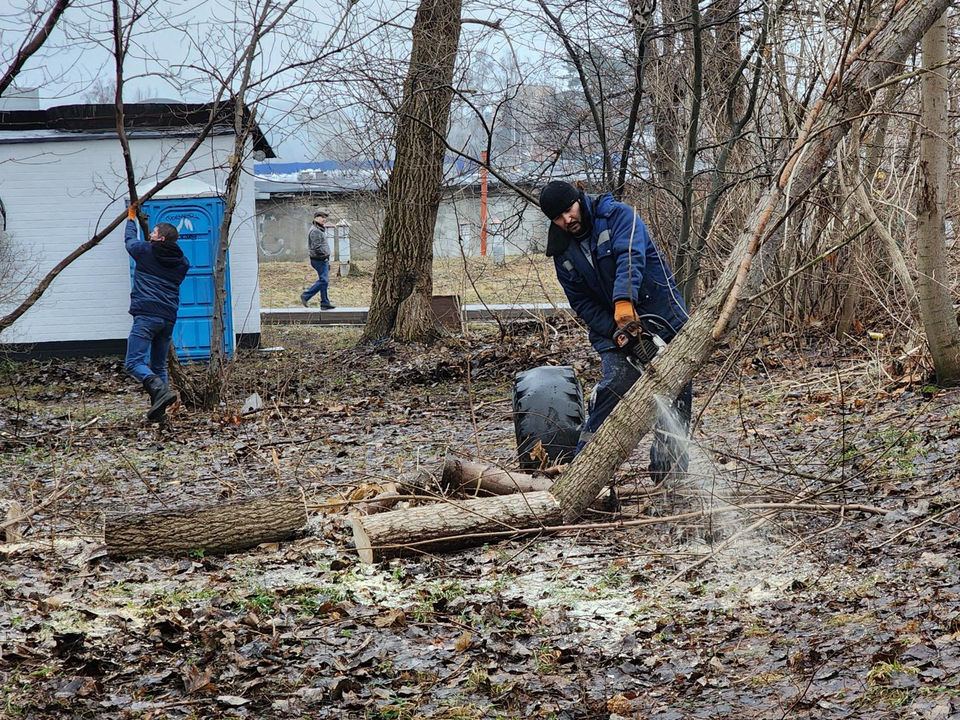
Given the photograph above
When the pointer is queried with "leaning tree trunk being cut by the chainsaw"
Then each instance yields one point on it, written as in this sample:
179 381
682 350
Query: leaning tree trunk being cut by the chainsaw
827 122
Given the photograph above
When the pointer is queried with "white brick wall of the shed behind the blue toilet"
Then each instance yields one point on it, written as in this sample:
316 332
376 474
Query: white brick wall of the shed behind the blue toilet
57 195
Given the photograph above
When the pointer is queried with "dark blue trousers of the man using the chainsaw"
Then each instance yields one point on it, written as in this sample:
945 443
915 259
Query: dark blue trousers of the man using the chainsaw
668 452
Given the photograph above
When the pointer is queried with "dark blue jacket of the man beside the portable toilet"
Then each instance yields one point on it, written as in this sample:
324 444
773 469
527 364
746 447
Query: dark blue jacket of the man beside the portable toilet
159 270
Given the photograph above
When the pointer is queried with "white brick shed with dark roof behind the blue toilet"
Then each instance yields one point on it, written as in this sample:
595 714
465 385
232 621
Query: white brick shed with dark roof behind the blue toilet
62 180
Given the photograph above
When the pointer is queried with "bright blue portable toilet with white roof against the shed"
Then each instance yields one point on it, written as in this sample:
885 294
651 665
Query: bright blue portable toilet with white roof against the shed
197 219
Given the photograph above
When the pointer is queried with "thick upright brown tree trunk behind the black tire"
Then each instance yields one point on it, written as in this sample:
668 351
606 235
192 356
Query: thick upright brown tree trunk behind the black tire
403 278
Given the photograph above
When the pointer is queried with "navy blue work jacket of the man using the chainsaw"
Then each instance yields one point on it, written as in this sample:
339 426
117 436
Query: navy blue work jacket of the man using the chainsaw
624 264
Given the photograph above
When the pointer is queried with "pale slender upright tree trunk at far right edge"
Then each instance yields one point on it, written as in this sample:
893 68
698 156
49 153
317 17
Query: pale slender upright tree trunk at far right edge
936 307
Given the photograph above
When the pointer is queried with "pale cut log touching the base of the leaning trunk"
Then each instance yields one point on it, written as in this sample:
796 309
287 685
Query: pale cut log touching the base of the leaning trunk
451 526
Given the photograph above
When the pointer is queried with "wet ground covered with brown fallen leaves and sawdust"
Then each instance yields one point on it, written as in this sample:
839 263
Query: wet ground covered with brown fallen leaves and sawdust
815 612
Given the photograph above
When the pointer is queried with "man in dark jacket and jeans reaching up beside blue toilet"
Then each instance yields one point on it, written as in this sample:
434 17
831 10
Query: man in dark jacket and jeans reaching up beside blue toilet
160 268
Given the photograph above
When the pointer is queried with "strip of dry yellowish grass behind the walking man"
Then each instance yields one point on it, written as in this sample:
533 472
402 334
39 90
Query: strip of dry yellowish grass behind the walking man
521 278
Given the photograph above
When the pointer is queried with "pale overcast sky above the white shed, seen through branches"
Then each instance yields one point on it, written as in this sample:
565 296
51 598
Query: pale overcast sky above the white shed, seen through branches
77 60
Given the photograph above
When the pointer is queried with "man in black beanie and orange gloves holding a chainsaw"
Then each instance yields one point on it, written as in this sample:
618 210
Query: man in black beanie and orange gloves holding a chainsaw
620 285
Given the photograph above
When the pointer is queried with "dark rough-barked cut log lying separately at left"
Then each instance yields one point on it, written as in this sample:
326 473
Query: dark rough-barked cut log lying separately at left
226 527
